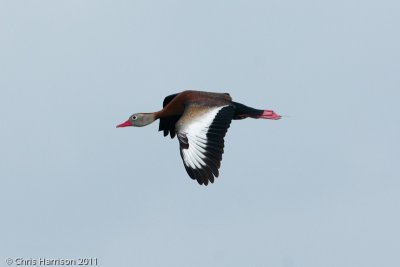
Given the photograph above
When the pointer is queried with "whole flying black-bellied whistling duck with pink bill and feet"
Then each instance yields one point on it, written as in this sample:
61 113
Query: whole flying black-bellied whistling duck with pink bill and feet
200 120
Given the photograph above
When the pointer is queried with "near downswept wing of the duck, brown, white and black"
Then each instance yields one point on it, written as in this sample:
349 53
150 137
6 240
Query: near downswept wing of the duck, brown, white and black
201 132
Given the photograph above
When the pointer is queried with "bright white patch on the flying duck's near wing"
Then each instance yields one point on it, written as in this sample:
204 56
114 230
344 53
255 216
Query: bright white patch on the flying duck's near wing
196 134
